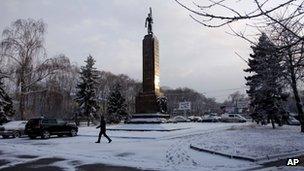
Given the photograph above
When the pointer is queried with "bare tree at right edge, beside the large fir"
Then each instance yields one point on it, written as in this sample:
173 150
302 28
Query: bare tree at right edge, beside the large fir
292 58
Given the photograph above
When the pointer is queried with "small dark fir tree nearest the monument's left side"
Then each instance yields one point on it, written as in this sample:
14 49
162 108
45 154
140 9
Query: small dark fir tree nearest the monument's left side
116 106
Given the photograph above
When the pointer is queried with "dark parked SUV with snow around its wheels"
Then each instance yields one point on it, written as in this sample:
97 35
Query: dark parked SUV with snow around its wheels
46 127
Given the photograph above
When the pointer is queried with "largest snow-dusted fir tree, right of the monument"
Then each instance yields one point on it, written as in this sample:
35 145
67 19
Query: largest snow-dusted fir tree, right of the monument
265 84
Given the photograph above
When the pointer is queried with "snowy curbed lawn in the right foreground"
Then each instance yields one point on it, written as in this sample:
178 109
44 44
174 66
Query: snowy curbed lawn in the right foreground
255 141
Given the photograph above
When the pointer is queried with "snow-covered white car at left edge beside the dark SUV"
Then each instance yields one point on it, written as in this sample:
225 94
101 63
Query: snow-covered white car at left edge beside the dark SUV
13 129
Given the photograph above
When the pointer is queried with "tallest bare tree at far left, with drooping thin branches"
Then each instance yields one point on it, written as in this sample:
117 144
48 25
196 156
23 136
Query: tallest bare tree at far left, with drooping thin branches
23 46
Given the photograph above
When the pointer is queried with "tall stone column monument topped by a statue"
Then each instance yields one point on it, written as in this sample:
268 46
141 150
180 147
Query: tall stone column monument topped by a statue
146 101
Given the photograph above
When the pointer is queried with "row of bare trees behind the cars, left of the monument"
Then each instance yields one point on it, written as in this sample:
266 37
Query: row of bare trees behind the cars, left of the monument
39 85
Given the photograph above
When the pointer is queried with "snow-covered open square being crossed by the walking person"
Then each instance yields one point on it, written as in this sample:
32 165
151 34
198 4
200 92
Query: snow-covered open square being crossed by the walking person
153 150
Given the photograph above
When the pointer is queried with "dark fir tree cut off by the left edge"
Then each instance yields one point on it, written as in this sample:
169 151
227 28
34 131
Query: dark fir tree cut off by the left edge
6 104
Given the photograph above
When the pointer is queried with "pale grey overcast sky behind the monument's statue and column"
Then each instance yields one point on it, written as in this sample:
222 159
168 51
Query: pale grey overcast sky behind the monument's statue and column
112 32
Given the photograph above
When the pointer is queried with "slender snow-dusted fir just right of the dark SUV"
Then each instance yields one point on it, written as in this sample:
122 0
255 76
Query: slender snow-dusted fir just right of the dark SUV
86 96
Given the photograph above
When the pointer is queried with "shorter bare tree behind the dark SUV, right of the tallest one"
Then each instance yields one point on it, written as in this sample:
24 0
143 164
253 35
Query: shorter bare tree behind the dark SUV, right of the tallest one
56 90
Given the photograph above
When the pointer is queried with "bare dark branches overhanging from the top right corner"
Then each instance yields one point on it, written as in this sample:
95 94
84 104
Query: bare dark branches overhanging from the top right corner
218 13
